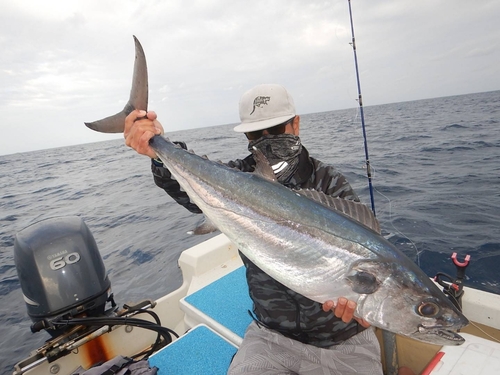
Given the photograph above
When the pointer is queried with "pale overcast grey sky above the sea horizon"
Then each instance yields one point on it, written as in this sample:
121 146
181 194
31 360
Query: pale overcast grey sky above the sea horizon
66 62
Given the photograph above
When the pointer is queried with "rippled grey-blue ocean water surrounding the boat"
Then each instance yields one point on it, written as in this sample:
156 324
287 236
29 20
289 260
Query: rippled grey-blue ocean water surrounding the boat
436 175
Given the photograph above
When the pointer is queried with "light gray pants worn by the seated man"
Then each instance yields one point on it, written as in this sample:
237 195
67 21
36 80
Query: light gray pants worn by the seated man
266 352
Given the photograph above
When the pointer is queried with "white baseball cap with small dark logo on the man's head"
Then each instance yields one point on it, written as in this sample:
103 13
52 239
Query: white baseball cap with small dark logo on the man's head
263 107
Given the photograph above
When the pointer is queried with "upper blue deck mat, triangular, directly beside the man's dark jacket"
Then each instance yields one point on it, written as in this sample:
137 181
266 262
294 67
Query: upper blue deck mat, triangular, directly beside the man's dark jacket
226 301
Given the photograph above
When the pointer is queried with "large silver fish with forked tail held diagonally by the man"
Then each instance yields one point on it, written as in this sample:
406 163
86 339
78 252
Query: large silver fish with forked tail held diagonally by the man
315 250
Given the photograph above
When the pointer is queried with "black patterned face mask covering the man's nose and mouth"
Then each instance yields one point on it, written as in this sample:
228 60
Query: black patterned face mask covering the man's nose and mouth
282 151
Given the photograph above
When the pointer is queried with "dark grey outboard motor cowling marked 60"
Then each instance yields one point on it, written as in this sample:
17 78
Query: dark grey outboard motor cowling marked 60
60 270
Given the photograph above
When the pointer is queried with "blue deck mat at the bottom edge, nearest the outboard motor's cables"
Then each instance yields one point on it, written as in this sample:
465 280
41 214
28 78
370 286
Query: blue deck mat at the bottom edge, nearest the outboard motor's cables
200 351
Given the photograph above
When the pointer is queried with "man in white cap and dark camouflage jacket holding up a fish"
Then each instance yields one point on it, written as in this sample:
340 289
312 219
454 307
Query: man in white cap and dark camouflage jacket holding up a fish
291 333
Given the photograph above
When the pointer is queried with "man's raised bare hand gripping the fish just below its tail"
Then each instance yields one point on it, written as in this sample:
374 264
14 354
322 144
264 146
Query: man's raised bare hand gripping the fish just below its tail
140 127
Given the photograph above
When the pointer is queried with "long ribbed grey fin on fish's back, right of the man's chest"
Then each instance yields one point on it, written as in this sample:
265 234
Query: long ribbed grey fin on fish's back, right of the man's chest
356 210
